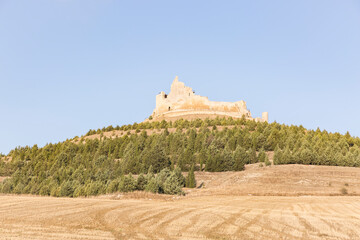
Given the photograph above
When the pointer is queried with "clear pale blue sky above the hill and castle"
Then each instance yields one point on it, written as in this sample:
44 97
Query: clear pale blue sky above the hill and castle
67 66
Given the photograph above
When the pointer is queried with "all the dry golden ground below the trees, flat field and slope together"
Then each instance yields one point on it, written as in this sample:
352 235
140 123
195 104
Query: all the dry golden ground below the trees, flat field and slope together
277 202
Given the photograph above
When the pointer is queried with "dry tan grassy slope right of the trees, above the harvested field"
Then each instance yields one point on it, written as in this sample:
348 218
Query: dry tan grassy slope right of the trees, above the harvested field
281 180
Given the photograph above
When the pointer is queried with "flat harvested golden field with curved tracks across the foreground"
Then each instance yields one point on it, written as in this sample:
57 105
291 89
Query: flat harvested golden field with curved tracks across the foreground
210 217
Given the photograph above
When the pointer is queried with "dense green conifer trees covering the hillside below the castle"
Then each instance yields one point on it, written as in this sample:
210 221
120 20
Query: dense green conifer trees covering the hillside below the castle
96 166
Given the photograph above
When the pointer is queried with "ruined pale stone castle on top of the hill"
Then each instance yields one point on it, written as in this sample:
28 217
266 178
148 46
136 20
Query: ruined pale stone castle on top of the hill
182 102
